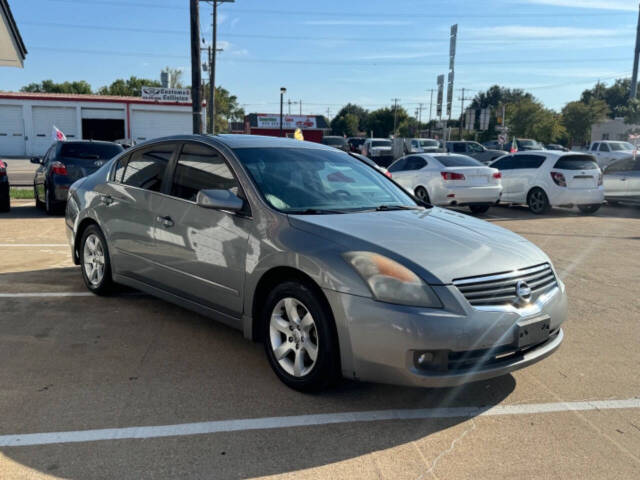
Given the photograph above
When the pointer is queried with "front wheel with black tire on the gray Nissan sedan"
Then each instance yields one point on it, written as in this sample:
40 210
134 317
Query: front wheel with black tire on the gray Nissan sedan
299 337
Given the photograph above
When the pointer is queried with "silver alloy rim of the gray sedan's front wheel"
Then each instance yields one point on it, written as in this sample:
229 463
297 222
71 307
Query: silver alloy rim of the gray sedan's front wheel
293 337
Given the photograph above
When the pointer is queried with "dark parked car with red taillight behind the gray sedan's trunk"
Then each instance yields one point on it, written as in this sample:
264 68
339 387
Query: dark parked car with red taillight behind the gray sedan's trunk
63 164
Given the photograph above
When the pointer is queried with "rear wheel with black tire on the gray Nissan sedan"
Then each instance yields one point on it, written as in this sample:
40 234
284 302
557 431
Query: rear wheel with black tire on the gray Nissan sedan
94 261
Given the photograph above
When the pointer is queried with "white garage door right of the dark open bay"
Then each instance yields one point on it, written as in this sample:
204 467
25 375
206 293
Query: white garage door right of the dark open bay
148 124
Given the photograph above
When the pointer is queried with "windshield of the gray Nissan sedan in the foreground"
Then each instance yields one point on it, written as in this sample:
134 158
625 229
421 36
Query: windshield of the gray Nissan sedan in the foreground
303 180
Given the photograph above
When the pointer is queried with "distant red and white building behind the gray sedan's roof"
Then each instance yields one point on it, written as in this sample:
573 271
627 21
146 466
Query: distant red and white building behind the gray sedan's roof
313 127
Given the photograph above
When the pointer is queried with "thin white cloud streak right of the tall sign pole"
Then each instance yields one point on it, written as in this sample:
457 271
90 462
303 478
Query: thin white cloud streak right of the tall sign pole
525 31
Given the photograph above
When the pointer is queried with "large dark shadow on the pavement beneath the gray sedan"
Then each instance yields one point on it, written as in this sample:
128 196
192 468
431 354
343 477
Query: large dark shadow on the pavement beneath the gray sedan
130 360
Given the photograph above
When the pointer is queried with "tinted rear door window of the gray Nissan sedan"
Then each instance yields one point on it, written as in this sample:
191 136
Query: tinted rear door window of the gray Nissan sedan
146 167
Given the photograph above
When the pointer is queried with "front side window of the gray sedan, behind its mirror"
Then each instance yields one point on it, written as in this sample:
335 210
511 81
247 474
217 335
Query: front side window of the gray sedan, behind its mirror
201 168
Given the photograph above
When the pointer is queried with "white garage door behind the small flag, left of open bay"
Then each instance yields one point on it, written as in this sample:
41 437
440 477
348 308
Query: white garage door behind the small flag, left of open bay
44 118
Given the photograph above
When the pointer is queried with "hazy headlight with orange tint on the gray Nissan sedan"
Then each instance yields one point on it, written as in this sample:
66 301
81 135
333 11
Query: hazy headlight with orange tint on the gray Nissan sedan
391 282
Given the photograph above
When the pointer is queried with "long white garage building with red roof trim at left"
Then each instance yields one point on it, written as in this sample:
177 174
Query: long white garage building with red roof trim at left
27 119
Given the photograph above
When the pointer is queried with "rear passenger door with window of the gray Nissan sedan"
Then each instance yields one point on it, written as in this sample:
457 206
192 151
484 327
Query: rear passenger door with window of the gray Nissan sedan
128 203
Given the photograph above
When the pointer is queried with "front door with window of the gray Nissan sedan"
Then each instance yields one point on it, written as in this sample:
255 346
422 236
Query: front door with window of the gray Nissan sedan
201 251
